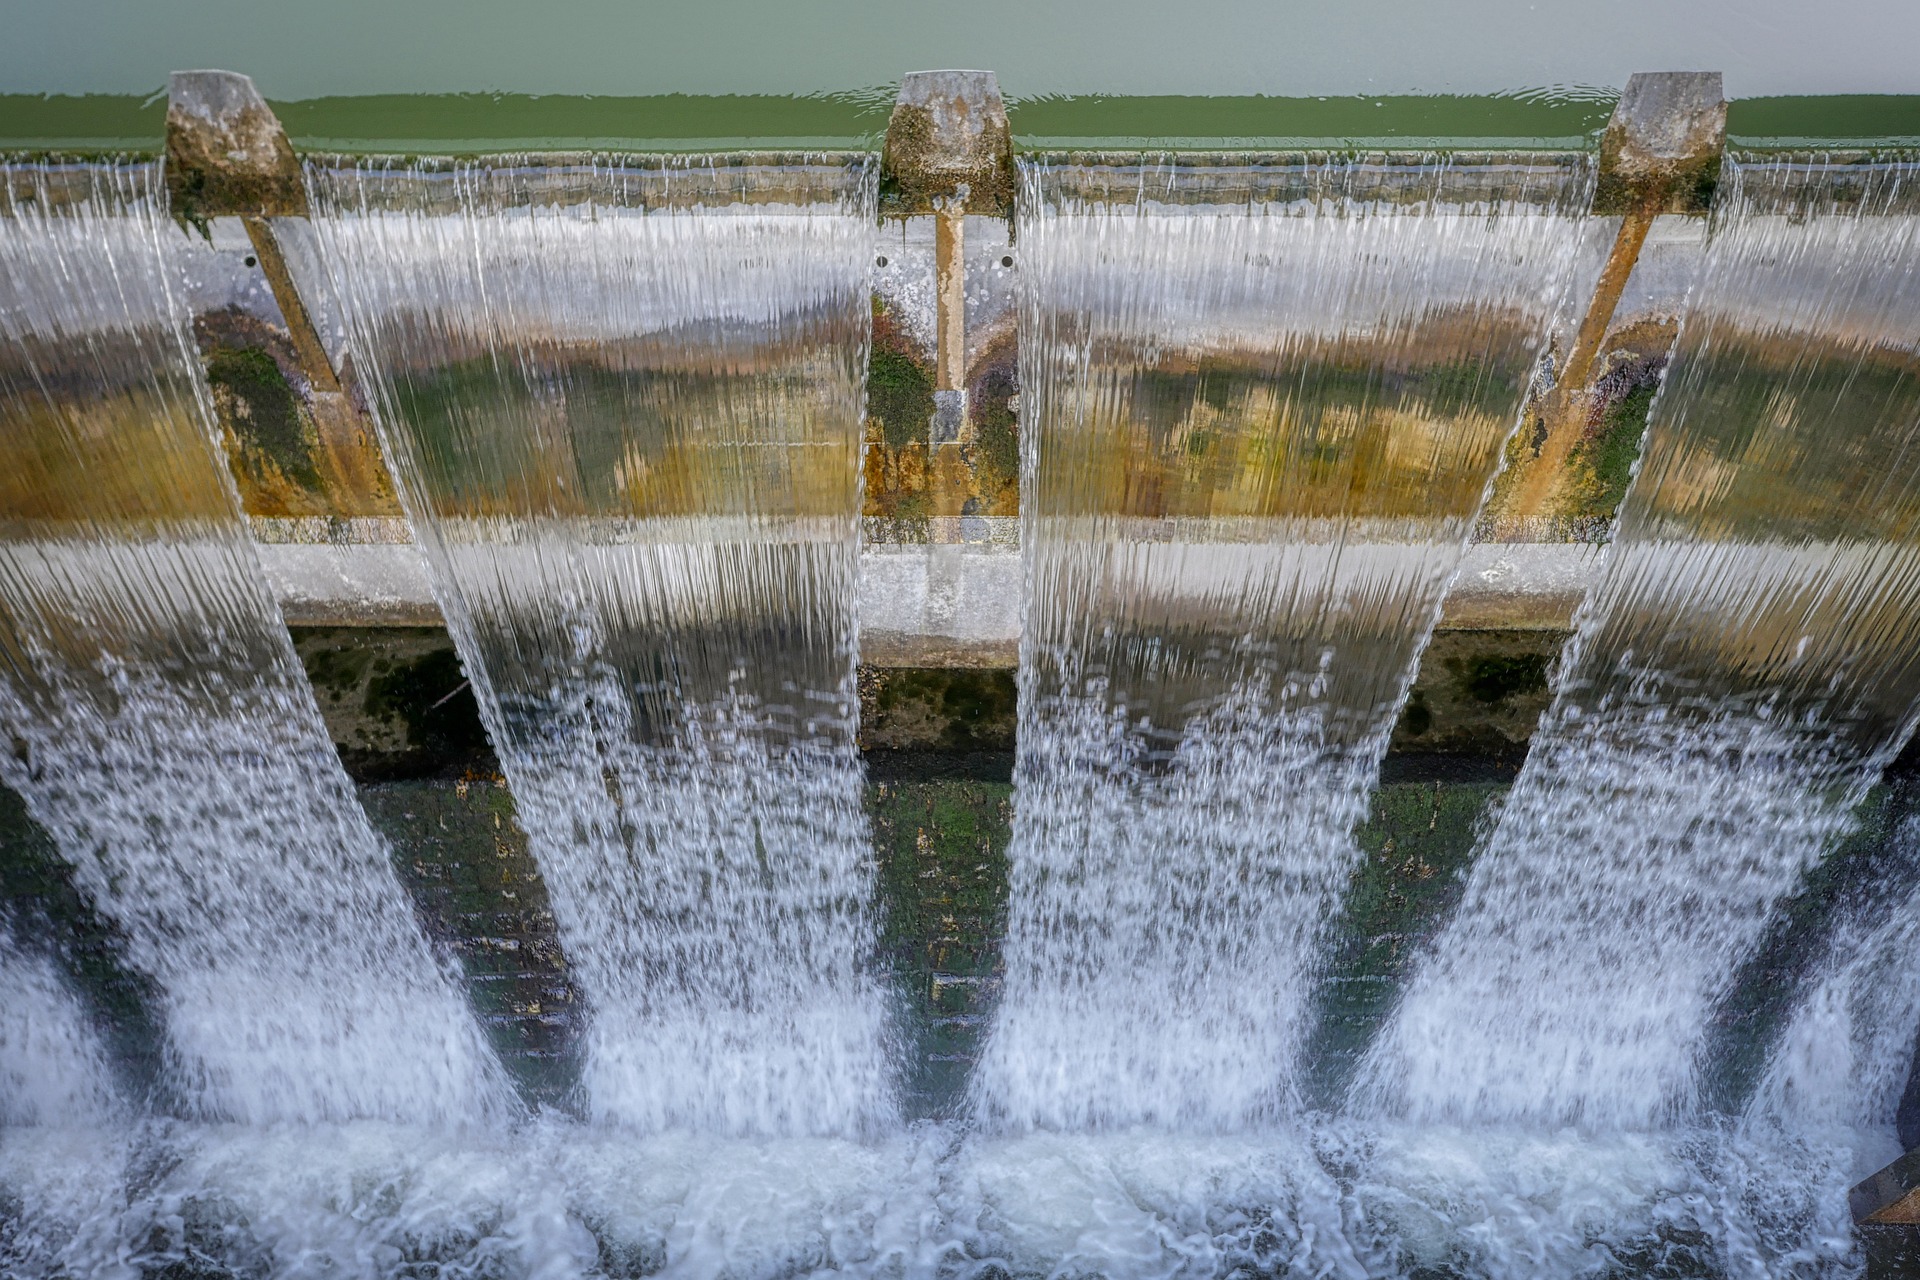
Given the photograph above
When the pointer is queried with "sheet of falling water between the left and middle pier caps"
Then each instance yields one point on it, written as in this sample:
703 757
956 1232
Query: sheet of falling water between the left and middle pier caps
625 410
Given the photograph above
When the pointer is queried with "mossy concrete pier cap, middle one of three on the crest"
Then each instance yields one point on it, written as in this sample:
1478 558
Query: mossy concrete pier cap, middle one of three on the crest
949 141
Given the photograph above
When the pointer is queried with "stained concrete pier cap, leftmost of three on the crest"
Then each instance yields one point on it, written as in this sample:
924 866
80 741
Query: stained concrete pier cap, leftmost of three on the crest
228 153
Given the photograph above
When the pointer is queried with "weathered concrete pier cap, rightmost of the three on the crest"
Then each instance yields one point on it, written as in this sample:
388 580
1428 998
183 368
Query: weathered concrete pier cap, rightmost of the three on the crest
1662 151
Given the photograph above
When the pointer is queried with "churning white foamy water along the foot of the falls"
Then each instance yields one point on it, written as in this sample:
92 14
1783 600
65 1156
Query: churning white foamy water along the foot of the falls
558 1200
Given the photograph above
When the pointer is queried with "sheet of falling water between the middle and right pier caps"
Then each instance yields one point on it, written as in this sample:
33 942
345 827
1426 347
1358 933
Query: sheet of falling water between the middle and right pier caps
1260 412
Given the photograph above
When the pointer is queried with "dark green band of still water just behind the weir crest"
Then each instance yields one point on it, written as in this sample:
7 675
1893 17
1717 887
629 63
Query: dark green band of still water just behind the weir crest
491 124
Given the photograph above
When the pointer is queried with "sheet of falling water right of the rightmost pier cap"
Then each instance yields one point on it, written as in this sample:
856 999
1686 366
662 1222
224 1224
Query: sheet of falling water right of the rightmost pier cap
1740 675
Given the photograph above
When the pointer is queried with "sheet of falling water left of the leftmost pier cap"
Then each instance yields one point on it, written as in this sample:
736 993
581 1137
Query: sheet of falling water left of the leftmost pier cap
160 724
